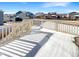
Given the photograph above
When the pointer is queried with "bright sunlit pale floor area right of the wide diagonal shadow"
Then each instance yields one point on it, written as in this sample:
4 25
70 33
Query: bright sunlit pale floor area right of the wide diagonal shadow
59 45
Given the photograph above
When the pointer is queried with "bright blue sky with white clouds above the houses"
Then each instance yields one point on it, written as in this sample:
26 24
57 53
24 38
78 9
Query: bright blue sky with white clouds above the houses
59 7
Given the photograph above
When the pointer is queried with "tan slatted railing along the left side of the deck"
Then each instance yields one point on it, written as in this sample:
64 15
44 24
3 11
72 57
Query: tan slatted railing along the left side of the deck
15 30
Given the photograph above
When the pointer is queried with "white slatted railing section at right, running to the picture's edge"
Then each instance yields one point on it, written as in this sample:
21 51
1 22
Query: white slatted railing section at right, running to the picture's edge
68 28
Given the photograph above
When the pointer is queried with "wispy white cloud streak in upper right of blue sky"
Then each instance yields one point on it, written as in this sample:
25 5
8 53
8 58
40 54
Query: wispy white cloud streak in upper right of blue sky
51 4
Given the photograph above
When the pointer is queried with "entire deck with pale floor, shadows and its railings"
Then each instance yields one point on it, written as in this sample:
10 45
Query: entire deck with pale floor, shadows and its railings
21 34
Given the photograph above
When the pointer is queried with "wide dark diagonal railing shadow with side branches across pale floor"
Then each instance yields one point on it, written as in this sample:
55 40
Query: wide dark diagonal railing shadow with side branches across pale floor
33 52
